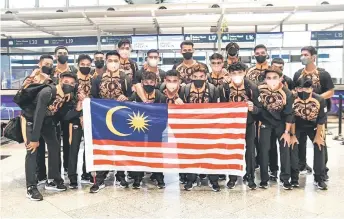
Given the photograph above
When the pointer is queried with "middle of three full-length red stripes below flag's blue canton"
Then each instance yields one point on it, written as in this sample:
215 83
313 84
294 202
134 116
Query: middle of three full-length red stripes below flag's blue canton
168 155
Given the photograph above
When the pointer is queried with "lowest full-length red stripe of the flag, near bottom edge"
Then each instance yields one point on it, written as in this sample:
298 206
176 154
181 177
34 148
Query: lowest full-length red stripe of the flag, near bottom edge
170 166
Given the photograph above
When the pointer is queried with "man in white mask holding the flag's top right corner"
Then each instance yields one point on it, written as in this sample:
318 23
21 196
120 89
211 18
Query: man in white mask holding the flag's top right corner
242 90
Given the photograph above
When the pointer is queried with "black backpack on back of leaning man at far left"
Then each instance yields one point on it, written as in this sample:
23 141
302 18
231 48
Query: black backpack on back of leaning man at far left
24 97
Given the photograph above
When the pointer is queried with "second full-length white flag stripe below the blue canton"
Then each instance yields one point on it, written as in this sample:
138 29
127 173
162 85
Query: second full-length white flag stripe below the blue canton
168 160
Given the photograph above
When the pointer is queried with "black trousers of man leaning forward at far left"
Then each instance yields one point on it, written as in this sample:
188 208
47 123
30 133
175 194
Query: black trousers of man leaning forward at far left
48 132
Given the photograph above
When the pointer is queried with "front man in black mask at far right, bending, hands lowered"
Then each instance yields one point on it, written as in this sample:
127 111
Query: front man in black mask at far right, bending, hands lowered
310 118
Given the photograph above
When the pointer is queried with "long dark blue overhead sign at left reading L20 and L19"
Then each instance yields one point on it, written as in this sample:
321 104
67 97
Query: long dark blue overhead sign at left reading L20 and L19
54 41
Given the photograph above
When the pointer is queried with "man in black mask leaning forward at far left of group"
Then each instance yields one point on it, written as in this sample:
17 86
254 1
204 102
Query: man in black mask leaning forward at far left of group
38 121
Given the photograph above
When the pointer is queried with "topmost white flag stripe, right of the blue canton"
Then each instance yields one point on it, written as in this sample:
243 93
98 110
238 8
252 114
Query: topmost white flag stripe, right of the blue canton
208 111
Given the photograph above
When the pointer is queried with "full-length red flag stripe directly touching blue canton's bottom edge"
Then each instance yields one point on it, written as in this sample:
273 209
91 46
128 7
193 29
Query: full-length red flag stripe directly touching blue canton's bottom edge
168 145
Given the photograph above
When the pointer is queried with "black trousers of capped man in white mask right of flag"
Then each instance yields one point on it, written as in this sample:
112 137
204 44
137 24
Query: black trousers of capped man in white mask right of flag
264 148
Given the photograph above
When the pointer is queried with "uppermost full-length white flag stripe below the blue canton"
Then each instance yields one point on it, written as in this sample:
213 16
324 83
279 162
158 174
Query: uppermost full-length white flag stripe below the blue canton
169 150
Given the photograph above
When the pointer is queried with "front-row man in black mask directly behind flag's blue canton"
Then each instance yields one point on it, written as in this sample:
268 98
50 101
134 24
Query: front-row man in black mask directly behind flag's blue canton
153 95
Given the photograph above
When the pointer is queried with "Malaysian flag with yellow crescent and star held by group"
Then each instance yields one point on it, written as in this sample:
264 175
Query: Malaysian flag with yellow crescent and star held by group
189 138
